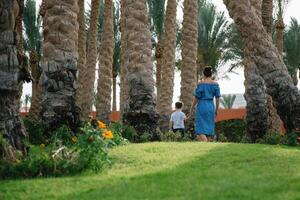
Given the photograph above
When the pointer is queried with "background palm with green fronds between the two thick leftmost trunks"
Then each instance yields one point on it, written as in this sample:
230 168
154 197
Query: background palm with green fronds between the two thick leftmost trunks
33 44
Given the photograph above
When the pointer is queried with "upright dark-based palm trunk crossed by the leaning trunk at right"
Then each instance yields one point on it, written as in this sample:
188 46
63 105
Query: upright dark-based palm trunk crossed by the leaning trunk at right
261 114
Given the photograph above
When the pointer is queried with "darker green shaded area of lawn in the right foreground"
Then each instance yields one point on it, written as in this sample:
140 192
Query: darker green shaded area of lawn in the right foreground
226 172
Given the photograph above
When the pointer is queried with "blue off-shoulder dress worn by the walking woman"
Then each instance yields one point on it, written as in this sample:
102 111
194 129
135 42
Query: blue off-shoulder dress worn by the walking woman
205 111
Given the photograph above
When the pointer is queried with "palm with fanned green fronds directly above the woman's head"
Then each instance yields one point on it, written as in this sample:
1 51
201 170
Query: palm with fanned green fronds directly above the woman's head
213 30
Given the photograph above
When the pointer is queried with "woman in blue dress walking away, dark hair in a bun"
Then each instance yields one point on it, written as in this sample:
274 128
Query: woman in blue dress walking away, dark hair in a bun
206 91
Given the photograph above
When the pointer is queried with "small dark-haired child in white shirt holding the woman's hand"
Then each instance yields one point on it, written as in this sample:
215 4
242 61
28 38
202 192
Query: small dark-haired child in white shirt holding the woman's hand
177 119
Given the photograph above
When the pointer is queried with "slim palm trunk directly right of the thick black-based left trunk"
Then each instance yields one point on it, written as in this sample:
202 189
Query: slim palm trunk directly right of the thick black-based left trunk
82 68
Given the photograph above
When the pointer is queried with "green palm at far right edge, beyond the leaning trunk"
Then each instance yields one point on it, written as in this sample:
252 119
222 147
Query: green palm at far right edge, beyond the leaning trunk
292 49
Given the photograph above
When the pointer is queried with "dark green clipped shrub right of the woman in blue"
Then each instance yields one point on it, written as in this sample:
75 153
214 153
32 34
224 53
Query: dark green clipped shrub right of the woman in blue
232 130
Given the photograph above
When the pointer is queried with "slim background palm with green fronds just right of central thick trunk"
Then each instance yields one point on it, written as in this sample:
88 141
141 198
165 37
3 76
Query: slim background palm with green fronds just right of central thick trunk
157 18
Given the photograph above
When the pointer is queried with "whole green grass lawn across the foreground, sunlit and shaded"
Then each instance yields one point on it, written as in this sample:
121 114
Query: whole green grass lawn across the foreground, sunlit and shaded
177 171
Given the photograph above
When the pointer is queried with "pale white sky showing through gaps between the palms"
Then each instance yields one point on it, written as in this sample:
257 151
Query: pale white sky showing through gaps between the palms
234 84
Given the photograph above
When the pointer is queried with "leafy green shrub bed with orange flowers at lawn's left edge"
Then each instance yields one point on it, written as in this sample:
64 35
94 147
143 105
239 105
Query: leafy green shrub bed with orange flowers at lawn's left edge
65 154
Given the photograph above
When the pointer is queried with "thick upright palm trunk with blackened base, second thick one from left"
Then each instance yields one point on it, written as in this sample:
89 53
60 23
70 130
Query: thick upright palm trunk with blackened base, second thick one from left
60 64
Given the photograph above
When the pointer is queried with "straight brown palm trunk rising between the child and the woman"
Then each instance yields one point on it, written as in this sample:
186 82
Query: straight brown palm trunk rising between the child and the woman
189 52
